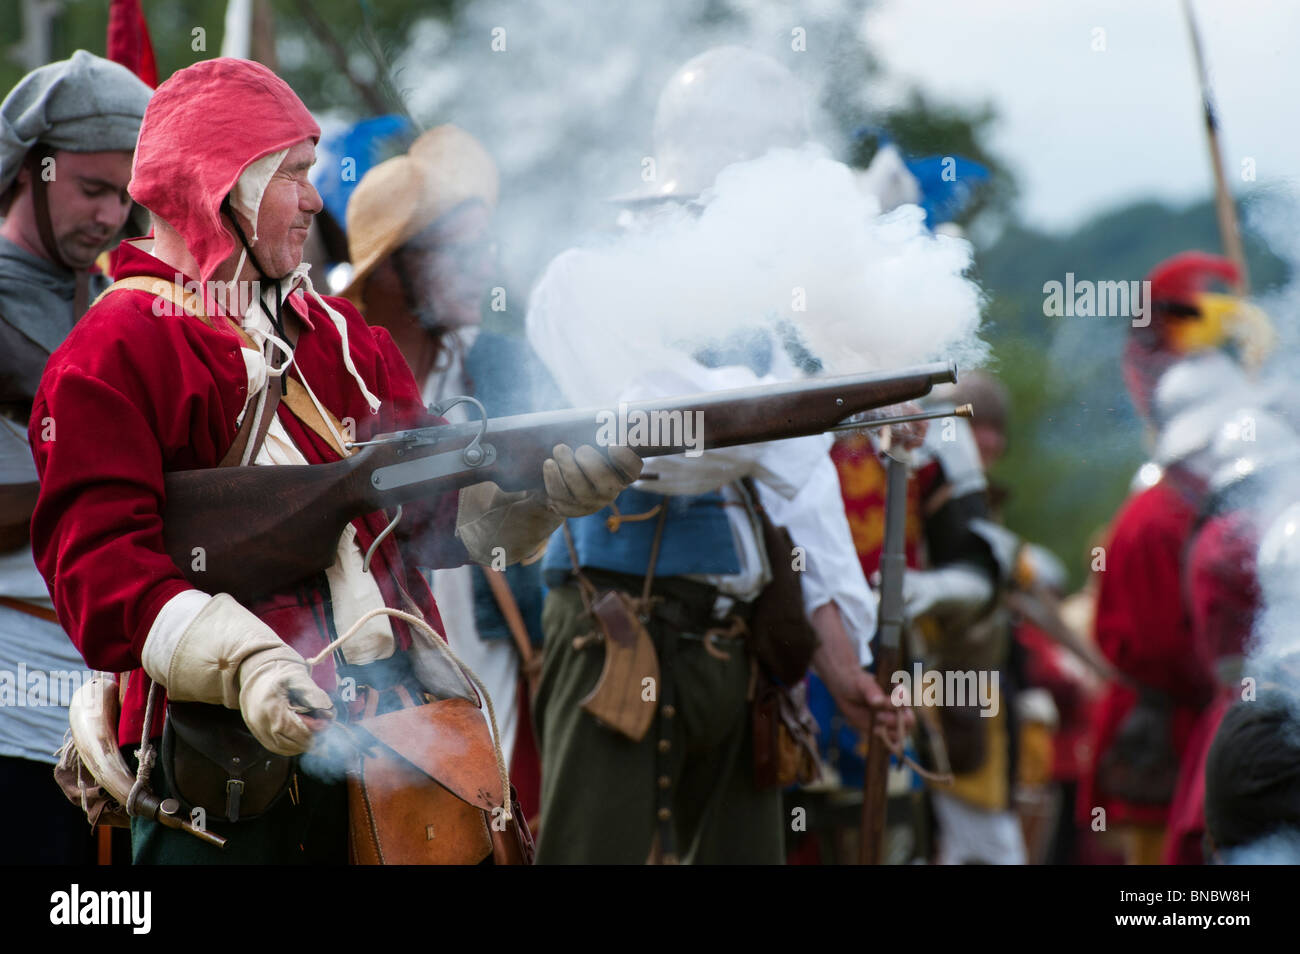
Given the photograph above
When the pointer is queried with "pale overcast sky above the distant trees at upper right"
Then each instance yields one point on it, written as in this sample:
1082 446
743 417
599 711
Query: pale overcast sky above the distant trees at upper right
1089 131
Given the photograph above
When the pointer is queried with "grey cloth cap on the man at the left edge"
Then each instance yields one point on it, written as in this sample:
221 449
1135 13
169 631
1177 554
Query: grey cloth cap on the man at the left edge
83 105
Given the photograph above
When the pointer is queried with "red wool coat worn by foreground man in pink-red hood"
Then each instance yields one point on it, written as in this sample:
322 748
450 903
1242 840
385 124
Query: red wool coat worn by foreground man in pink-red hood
131 397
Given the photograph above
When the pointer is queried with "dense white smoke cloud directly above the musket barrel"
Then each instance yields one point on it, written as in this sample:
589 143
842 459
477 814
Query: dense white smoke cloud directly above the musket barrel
786 238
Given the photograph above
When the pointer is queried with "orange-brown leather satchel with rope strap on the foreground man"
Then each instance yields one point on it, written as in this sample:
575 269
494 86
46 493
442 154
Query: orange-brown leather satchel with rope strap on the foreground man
426 791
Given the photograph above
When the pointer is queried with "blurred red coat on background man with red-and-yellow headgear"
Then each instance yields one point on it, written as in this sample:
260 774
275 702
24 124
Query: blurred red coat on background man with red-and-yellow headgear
1143 627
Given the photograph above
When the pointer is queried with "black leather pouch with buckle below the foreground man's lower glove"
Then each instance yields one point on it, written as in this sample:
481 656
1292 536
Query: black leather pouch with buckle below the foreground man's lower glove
213 761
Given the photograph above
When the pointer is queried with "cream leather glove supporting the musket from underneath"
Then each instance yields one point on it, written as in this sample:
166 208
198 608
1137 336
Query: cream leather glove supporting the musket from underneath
497 527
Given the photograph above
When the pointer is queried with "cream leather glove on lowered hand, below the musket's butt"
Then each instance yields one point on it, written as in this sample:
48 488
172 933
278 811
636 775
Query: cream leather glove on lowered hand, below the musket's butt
228 657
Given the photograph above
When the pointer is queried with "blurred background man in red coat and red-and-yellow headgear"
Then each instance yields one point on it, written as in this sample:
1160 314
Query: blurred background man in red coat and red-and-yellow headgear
1142 726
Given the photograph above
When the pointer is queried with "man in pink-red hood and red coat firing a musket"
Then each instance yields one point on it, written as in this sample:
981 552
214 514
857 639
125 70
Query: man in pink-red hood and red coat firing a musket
162 374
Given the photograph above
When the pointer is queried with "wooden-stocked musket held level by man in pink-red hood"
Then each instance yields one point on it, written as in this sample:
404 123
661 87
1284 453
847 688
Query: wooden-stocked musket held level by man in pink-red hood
250 531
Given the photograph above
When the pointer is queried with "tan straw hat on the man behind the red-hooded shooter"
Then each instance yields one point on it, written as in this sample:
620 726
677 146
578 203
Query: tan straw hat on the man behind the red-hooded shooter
398 200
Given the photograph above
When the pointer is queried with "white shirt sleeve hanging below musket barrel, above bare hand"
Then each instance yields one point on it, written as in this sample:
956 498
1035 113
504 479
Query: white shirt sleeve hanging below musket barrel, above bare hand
831 570
